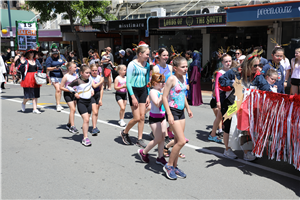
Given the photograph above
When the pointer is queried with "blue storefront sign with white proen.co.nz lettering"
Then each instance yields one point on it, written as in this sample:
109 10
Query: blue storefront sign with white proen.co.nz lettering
264 12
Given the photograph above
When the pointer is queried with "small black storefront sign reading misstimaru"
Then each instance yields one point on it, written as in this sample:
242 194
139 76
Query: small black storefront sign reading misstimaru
127 24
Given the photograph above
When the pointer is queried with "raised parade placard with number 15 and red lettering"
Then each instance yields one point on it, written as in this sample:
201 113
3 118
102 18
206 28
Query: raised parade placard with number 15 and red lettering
26 35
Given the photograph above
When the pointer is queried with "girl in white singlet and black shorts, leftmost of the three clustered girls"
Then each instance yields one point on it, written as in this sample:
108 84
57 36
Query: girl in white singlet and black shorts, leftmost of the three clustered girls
69 96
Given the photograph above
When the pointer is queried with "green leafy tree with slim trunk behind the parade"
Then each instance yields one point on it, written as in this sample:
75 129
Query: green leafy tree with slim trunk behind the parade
86 10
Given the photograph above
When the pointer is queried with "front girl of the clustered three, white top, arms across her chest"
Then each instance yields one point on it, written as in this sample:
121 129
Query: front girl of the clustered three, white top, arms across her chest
83 92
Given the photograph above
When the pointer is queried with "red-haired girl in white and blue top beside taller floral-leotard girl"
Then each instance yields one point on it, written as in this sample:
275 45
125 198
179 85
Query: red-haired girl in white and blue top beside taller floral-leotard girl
157 120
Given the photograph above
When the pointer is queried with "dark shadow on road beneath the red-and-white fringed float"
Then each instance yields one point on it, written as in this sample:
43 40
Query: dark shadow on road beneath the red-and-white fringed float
248 170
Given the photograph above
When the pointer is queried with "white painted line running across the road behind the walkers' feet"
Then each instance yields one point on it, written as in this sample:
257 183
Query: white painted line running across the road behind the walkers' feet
187 145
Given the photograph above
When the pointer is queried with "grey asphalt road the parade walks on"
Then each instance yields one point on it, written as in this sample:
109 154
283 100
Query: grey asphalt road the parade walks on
41 159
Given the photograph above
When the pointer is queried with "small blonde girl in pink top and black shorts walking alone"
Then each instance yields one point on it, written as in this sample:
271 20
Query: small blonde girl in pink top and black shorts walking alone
121 92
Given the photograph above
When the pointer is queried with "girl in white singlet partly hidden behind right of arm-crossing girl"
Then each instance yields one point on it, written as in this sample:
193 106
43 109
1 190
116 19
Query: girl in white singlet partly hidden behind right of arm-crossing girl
97 98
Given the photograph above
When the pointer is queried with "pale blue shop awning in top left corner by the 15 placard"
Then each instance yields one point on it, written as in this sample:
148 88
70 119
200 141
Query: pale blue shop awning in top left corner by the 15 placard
16 15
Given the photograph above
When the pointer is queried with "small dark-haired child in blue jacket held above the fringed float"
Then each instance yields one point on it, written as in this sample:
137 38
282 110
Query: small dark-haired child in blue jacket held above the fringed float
277 56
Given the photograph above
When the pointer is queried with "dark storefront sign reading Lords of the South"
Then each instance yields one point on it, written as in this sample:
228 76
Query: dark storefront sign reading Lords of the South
193 21
